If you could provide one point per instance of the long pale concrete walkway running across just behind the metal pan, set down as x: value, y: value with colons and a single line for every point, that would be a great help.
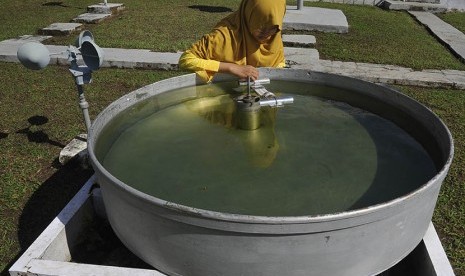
x: 298, y: 58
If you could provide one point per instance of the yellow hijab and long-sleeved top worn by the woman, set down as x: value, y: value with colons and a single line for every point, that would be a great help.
x: 232, y: 40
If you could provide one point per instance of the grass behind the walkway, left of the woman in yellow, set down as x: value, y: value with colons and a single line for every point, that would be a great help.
x: 162, y: 25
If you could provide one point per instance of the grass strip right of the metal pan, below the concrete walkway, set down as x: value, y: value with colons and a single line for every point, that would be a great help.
x: 449, y: 216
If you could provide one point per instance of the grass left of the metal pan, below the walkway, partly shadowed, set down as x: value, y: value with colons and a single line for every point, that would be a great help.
x: 39, y: 115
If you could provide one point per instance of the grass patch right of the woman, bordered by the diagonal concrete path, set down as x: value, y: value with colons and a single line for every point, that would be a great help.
x: 386, y: 37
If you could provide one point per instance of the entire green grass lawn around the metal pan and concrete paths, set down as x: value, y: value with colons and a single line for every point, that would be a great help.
x: 39, y: 111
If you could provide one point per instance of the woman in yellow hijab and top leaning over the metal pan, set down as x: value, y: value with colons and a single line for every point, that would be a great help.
x: 246, y: 39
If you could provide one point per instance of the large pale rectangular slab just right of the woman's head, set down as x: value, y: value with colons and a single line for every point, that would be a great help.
x: 315, y: 19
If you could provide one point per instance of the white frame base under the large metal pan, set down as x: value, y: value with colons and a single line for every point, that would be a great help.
x: 50, y: 253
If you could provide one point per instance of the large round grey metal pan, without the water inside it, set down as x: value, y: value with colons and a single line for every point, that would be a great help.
x: 181, y: 240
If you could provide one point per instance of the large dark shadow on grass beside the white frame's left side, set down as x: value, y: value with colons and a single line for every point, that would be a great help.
x: 47, y: 201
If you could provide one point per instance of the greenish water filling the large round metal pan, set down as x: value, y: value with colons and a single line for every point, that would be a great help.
x: 315, y: 156
